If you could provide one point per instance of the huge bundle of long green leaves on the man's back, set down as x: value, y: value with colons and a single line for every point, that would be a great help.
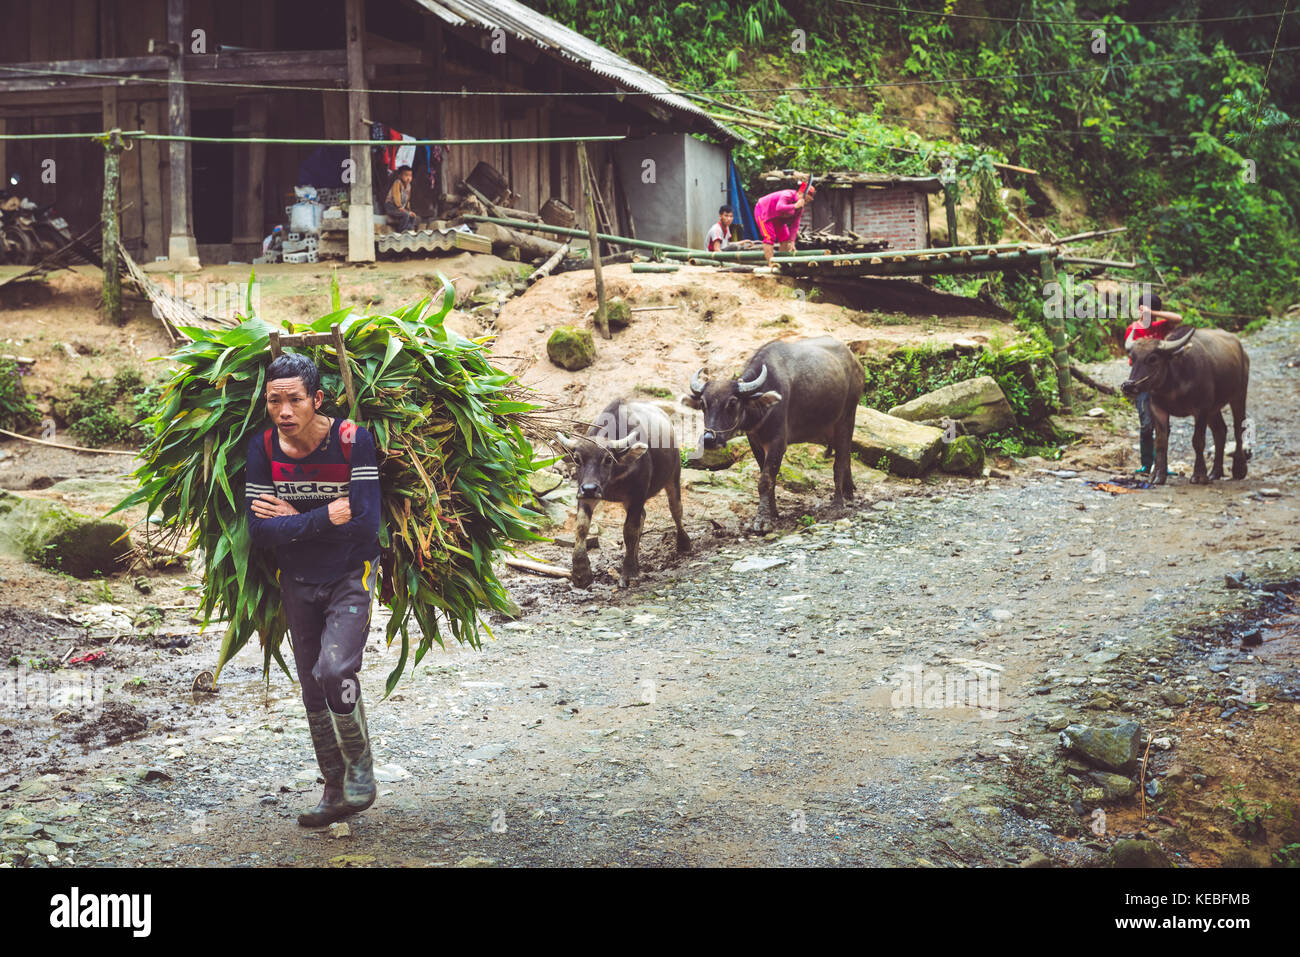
x: 454, y: 465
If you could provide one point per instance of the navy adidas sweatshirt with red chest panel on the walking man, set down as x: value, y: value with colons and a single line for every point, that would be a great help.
x: 309, y: 547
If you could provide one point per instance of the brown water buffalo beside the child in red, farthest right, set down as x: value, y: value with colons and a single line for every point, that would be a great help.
x: 1194, y: 375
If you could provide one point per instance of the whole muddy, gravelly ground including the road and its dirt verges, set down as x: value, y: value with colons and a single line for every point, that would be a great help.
x: 730, y: 711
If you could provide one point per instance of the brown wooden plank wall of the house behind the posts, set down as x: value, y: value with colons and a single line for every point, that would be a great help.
x: 89, y: 29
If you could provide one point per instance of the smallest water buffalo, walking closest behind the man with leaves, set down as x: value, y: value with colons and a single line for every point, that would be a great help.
x: 629, y: 457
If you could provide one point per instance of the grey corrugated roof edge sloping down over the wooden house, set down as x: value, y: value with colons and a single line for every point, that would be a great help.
x: 527, y: 24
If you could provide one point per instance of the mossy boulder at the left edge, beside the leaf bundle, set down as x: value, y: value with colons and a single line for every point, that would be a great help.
x: 51, y: 535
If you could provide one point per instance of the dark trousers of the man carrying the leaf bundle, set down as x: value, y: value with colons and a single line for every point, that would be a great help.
x: 328, y: 625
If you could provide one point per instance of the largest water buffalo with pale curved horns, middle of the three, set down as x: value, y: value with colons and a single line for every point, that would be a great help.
x: 807, y: 391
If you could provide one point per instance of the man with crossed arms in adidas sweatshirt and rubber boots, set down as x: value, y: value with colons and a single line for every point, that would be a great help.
x: 314, y: 497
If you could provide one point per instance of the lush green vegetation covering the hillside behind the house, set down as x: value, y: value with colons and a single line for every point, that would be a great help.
x: 1164, y: 118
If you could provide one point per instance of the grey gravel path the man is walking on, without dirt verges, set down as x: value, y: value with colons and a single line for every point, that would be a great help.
x: 753, y: 705
